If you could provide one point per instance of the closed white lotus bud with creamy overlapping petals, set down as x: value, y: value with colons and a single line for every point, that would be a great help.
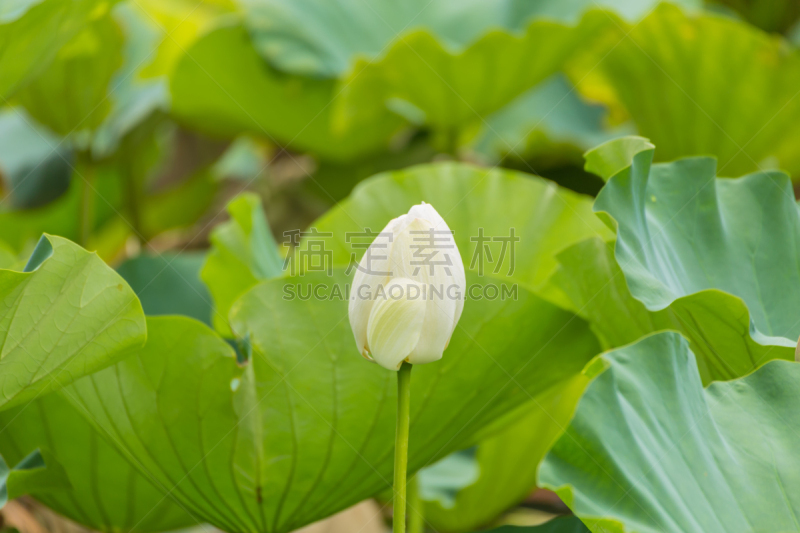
x: 408, y: 291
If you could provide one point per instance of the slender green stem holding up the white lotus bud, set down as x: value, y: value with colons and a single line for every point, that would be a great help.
x: 401, y: 448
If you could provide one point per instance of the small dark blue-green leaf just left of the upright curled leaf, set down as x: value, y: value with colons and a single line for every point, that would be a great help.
x: 169, y: 284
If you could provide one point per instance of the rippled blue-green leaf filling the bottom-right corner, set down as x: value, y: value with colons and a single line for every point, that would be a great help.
x: 650, y: 451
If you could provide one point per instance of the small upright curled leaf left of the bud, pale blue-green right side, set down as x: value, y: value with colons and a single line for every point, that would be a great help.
x: 243, y: 252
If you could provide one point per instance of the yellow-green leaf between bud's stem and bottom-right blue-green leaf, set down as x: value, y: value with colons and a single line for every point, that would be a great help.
x: 507, y: 463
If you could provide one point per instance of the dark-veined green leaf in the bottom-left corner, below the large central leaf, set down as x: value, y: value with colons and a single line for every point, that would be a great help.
x: 104, y: 491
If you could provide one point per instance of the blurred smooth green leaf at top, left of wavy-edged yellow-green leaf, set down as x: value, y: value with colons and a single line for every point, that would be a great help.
x: 223, y: 87
